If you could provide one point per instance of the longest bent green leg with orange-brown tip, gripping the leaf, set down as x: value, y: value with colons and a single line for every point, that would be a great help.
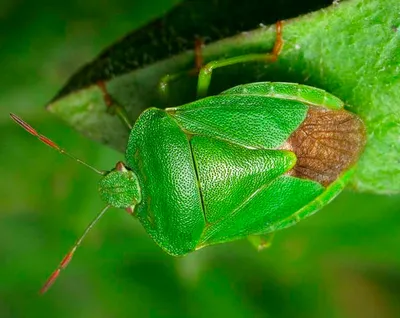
x: 205, y: 73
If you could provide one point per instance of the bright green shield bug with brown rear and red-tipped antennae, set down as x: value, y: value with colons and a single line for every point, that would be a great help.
x: 252, y: 160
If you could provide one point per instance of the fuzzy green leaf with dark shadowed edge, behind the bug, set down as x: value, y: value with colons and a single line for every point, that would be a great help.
x: 351, y: 49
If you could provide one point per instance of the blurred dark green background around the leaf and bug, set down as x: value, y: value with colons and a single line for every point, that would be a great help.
x: 342, y: 262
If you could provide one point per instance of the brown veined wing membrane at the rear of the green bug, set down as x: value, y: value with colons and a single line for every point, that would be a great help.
x: 326, y: 143
